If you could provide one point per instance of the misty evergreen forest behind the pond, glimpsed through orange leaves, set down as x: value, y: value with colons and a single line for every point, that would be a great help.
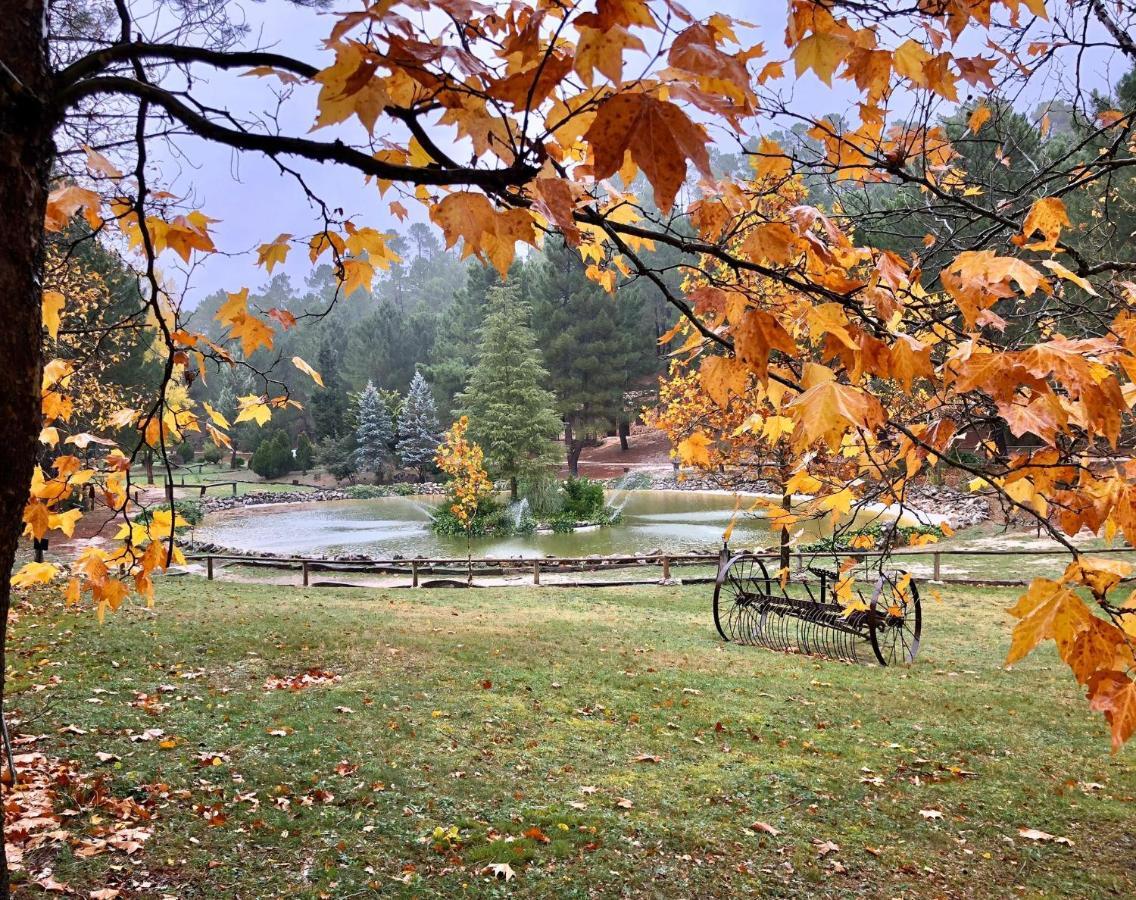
x: 555, y: 363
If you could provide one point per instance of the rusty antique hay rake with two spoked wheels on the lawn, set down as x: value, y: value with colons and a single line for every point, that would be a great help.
x: 805, y: 616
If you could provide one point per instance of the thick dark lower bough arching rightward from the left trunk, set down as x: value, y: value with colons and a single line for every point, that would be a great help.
x: 272, y: 145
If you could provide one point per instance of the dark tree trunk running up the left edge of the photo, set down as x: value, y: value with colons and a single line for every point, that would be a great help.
x: 27, y: 154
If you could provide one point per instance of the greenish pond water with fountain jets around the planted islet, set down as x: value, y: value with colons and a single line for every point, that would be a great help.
x: 667, y: 521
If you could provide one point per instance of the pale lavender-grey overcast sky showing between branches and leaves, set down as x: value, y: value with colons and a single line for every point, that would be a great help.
x: 255, y: 203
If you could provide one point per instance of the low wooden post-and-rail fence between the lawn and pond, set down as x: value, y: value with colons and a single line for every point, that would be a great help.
x: 497, y: 566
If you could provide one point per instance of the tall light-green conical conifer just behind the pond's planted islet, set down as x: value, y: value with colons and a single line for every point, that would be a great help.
x: 512, y: 415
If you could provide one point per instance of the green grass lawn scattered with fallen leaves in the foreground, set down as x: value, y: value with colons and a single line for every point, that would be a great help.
x: 512, y: 722
